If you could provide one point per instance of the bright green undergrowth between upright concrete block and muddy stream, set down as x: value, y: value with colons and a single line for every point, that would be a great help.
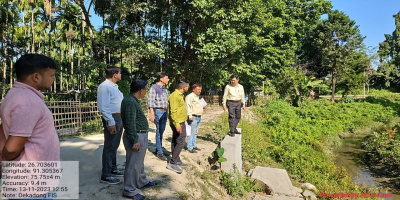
x: 299, y: 139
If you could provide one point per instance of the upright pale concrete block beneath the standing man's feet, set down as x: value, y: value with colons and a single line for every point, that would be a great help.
x: 232, y: 152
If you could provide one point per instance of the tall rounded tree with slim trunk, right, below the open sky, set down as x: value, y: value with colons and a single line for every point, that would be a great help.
x: 333, y: 49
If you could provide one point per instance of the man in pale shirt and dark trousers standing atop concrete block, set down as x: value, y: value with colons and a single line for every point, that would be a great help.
x: 233, y: 99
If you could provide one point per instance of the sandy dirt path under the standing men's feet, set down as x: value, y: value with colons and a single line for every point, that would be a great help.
x: 194, y: 183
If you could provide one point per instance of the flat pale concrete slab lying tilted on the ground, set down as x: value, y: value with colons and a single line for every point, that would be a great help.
x: 276, y: 180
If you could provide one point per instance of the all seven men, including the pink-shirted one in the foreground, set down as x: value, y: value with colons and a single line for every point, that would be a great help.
x: 28, y: 132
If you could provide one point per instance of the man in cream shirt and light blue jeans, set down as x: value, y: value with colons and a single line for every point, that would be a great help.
x: 194, y: 109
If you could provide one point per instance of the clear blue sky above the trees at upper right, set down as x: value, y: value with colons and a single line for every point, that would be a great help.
x: 374, y: 17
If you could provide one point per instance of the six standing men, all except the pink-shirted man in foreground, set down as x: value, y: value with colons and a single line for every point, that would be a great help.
x: 162, y: 106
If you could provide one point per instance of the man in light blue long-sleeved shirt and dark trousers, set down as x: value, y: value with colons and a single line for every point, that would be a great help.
x: 109, y: 103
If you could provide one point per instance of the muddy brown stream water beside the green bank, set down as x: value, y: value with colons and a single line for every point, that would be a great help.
x: 350, y: 156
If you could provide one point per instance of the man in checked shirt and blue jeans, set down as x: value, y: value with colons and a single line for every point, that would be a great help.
x: 158, y: 104
